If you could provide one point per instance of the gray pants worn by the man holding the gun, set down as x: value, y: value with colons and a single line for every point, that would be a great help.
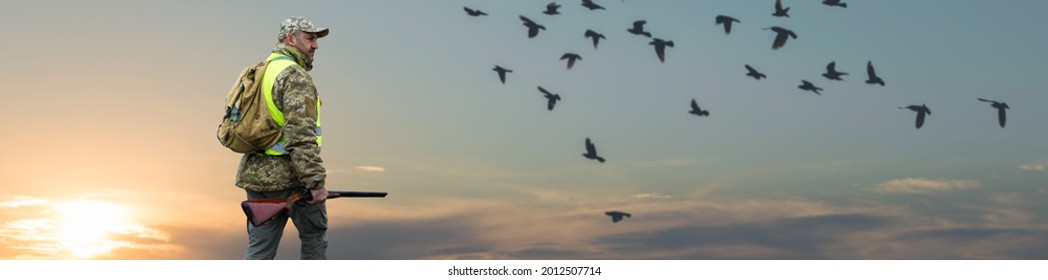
x: 311, y: 221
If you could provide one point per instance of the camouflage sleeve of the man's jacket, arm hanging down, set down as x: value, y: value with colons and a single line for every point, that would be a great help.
x: 300, y: 128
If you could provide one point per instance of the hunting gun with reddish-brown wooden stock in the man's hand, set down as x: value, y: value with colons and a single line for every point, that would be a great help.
x: 260, y: 211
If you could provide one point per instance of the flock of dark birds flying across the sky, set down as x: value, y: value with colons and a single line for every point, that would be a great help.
x: 781, y: 37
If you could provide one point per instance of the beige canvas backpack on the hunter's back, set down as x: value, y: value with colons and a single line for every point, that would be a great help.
x: 248, y: 126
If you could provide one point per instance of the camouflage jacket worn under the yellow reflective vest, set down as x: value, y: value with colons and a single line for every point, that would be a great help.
x: 296, y: 96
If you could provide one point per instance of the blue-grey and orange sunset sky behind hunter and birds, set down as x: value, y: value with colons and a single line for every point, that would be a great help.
x: 114, y: 107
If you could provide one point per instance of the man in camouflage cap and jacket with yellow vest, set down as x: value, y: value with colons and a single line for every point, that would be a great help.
x: 294, y: 163
